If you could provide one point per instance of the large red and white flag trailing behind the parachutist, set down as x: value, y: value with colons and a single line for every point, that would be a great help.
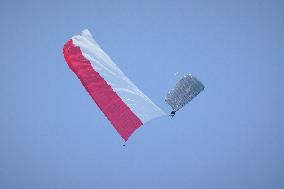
x: 125, y: 106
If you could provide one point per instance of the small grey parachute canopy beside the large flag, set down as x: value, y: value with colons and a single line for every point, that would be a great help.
x: 185, y: 90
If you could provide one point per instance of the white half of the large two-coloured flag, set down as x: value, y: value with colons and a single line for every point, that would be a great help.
x: 138, y: 102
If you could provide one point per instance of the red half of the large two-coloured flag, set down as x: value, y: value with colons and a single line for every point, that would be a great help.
x: 117, y: 112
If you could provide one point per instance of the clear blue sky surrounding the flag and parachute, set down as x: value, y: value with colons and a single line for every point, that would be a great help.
x: 53, y: 136
